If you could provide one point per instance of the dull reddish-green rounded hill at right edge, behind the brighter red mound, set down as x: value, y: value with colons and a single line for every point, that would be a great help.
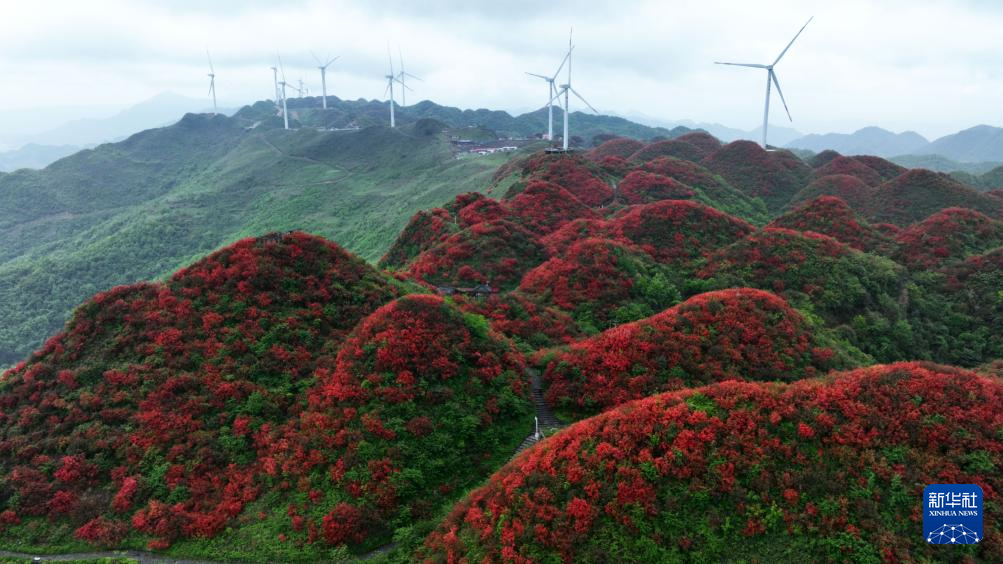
x: 919, y: 194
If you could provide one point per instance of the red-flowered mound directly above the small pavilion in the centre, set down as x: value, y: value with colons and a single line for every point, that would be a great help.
x: 498, y: 252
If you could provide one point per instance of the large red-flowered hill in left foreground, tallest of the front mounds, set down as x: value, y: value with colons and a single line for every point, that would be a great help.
x: 149, y: 385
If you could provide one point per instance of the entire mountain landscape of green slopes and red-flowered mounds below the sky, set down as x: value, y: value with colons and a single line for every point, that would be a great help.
x: 560, y: 355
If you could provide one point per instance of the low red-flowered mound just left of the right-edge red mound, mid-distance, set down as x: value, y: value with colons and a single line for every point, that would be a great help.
x: 831, y: 216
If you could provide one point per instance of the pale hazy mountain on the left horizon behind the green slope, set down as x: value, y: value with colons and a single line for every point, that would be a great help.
x: 162, y: 110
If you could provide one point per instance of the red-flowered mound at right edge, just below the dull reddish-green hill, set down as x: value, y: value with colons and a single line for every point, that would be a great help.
x: 951, y: 234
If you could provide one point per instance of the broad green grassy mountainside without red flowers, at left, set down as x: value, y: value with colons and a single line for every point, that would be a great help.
x: 141, y: 209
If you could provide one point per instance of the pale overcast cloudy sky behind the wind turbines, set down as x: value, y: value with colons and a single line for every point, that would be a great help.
x: 934, y: 67
